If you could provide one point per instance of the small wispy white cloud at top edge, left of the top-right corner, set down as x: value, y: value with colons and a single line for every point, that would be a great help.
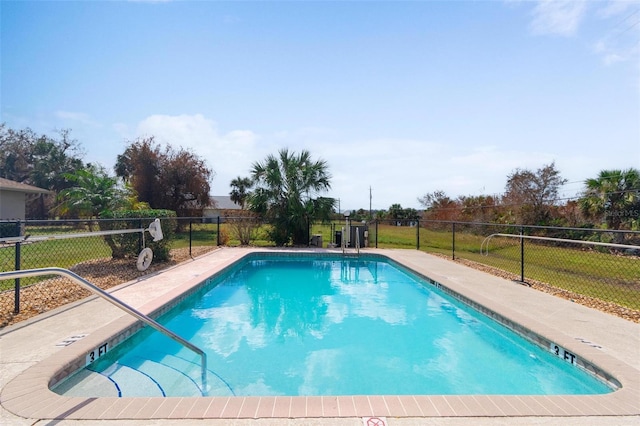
x: 558, y: 17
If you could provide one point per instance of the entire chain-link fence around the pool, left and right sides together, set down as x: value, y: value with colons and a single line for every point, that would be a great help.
x: 554, y: 260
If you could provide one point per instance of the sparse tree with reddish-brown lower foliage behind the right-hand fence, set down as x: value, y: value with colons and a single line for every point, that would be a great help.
x: 532, y: 194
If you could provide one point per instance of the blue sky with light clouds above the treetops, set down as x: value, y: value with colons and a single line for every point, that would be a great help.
x: 404, y: 98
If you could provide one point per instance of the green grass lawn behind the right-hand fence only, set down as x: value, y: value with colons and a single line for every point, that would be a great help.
x: 609, y: 277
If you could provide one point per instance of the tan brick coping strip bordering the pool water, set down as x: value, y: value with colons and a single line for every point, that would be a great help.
x: 32, y: 385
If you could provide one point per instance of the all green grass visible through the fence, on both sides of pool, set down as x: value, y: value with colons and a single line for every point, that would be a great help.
x: 604, y: 276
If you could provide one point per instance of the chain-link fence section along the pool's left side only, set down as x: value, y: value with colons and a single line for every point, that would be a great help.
x: 83, y: 247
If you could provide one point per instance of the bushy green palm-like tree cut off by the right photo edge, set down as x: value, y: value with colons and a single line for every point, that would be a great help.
x: 613, y: 197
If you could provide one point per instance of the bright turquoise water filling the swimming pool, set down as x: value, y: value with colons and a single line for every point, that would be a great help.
x: 328, y: 326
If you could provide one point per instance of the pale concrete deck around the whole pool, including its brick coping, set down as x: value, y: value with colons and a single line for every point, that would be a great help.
x: 32, y: 352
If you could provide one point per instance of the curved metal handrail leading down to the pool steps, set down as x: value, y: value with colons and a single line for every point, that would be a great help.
x: 117, y: 302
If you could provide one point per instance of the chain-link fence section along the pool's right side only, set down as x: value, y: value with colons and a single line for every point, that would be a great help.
x: 598, y: 268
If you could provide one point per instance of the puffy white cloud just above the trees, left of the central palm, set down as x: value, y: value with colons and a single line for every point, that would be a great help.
x: 228, y: 154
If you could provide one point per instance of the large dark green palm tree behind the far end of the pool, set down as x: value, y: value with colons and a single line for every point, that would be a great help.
x: 286, y: 194
